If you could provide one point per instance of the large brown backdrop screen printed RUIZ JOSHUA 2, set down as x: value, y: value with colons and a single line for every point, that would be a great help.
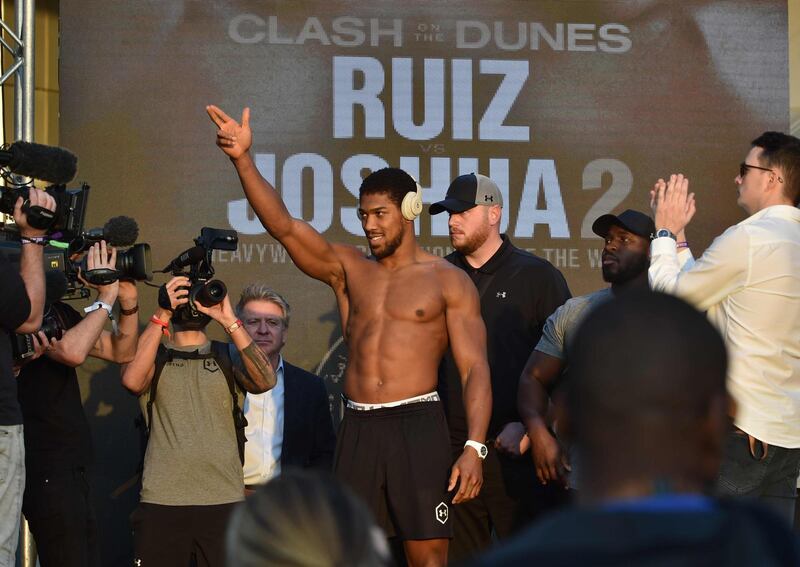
x: 573, y: 108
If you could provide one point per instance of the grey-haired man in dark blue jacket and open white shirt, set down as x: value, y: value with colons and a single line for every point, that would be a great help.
x: 290, y: 425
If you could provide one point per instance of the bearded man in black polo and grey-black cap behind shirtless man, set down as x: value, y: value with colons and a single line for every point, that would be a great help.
x: 518, y: 291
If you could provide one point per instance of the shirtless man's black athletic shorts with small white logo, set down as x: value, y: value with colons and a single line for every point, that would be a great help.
x: 398, y: 460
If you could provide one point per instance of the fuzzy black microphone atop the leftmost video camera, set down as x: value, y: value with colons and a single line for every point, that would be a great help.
x: 48, y: 163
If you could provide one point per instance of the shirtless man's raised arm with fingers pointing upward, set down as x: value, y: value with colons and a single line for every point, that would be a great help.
x: 307, y: 248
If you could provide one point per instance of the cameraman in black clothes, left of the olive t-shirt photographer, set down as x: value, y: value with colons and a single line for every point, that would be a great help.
x: 58, y: 444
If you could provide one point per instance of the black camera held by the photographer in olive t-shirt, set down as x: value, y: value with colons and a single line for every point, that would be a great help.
x: 195, y: 264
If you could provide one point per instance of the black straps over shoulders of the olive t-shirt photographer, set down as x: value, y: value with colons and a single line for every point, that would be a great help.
x: 220, y: 353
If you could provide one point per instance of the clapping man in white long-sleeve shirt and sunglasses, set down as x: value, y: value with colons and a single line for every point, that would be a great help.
x: 748, y: 281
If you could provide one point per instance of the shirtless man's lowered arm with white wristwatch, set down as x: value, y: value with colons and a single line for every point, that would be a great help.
x: 467, y: 334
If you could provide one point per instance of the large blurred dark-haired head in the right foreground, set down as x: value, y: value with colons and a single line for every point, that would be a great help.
x: 646, y: 400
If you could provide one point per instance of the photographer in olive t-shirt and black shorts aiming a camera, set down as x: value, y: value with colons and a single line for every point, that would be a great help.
x: 192, y: 475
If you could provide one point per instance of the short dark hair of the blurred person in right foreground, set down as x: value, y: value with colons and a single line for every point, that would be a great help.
x: 643, y: 366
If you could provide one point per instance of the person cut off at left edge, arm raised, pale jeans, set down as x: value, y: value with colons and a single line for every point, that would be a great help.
x: 21, y: 307
